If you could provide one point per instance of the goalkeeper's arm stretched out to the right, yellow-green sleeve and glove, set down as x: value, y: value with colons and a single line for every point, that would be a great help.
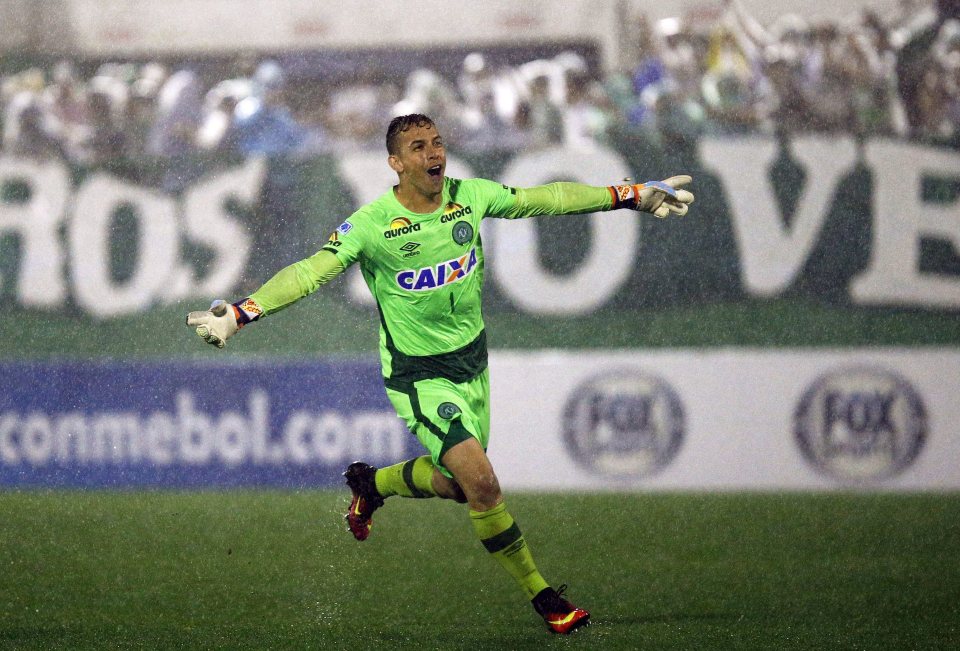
x: 565, y: 198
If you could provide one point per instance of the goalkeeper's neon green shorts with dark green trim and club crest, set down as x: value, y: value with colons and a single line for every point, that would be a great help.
x: 441, y: 413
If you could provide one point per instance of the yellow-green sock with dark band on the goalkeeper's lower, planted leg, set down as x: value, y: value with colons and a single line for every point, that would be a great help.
x: 502, y: 538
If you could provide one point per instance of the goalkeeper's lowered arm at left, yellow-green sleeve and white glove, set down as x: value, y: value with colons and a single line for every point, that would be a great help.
x: 288, y: 286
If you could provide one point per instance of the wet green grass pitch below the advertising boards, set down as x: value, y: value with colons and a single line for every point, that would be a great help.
x: 276, y: 570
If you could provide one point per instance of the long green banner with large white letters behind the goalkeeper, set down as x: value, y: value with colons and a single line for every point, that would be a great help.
x: 810, y: 242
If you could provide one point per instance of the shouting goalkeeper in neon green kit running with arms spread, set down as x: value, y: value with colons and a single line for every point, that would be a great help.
x: 419, y: 250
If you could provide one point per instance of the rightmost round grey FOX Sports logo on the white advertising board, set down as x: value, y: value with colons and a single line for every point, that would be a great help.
x: 860, y: 424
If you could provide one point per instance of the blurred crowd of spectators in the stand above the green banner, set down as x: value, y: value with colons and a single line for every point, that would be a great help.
x: 894, y: 75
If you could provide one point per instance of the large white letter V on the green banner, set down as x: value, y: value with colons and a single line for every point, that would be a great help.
x: 772, y: 253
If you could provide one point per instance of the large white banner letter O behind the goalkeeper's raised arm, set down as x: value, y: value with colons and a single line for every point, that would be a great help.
x: 611, y: 252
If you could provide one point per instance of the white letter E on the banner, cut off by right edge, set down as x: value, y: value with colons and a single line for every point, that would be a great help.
x: 901, y: 221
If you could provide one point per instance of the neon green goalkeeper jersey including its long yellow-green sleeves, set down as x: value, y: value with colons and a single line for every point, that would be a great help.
x: 425, y: 271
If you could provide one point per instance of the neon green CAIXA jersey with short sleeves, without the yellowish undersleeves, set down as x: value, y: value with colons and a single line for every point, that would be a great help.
x: 426, y: 273
